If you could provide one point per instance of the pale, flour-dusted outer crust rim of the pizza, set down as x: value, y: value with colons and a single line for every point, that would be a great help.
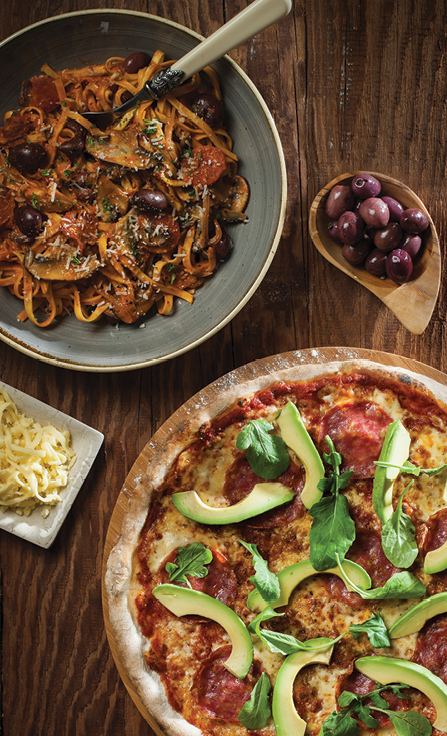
x: 164, y: 447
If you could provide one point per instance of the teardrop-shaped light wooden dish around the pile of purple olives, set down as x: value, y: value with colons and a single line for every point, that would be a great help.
x: 413, y: 302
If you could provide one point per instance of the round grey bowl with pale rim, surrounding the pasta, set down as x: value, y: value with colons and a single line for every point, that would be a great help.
x: 77, y: 39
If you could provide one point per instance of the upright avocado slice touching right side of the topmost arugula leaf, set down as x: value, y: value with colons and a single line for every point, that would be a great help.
x: 296, y: 436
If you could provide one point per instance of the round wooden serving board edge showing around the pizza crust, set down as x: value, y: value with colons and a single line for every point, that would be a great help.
x: 245, y: 373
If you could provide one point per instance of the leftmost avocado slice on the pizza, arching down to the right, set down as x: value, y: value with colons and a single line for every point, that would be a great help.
x: 186, y: 602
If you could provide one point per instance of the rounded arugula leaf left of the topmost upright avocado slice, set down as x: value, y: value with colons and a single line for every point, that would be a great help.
x: 266, y: 453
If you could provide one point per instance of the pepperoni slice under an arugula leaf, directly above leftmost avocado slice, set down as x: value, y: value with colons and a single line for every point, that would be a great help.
x: 220, y: 583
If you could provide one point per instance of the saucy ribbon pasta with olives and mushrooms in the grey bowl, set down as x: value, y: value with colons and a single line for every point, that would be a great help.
x: 112, y: 222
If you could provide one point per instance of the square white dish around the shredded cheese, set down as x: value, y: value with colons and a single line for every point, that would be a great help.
x: 85, y: 442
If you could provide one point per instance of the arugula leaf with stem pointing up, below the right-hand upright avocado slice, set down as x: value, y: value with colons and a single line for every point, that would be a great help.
x: 399, y: 537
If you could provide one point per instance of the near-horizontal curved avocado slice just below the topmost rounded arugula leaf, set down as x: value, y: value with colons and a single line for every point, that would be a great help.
x: 263, y: 497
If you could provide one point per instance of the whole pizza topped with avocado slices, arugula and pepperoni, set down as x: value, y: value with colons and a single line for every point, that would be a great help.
x: 282, y: 563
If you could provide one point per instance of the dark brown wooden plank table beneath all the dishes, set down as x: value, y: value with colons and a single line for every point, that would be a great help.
x: 351, y: 85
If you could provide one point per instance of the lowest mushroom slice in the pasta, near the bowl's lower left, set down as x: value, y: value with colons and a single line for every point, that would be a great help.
x: 63, y: 266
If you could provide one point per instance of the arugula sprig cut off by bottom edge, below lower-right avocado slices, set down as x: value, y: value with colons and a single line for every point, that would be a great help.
x: 342, y: 723
